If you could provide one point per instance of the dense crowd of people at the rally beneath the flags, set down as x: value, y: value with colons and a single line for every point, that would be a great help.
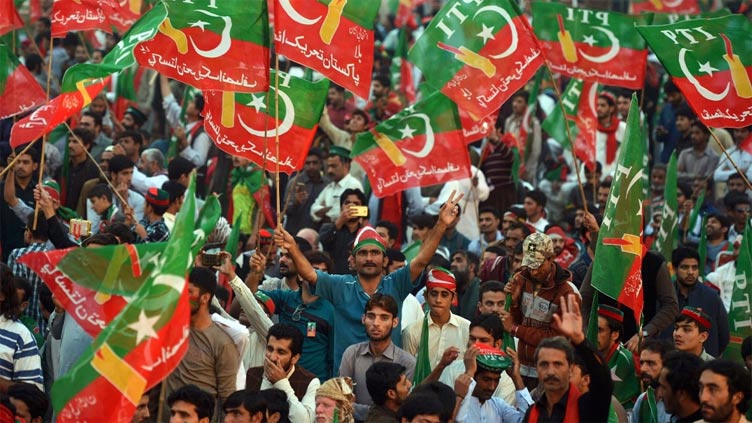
x: 465, y: 302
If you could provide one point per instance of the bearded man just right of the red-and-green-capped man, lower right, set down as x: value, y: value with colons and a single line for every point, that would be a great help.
x: 651, y: 363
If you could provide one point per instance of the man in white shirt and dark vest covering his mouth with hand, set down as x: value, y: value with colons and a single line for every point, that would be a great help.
x: 284, y: 345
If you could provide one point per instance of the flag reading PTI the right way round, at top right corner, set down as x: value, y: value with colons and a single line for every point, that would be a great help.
x: 710, y: 60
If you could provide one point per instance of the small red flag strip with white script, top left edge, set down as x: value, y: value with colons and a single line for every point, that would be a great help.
x: 80, y: 15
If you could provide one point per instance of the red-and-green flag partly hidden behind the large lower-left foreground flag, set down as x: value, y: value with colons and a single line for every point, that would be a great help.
x: 93, y: 285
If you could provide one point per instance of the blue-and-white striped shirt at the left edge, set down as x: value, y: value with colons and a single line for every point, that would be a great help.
x: 19, y: 355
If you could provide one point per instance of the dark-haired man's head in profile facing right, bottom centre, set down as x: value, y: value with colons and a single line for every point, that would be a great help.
x: 388, y: 386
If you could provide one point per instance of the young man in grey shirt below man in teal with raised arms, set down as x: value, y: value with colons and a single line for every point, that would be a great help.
x: 379, y: 319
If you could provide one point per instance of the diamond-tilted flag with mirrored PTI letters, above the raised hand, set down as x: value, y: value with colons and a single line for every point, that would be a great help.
x: 478, y: 55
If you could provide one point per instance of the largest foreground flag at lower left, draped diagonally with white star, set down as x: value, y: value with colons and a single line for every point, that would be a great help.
x: 144, y: 343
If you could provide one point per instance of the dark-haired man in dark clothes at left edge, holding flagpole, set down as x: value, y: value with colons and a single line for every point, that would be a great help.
x: 24, y: 176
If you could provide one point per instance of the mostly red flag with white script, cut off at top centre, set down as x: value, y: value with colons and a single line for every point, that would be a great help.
x: 334, y: 37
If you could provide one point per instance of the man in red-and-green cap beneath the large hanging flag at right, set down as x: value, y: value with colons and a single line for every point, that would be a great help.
x: 618, y: 358
